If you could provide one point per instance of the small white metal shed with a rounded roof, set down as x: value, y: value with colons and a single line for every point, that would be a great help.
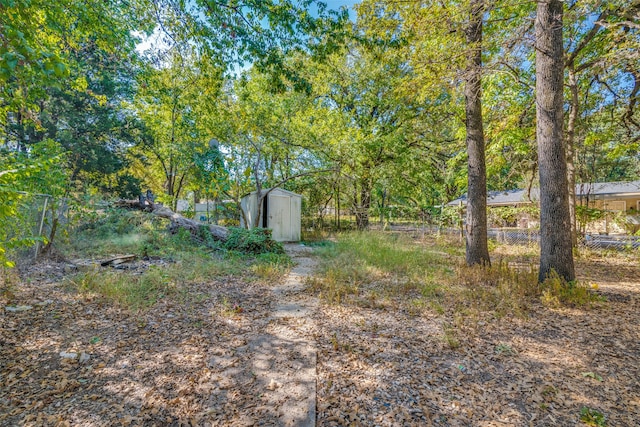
x: 281, y: 212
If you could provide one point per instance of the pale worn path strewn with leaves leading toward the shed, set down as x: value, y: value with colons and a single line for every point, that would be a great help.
x: 285, y: 355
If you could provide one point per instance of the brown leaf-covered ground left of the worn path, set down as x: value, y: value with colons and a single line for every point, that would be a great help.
x: 184, y: 363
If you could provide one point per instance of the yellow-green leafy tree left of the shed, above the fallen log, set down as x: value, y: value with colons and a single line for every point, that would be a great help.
x: 172, y: 106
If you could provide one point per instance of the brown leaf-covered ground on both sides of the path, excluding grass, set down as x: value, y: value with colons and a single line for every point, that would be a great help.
x: 190, y: 363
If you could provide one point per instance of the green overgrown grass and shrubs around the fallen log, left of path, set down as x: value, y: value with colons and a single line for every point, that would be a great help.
x: 176, y: 260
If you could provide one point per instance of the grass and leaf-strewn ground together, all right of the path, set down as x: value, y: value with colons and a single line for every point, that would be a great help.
x: 474, y: 346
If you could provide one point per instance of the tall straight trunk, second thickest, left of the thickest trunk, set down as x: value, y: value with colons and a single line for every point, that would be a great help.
x: 477, y: 250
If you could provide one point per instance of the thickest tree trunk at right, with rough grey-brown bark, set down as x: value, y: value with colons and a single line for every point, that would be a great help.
x: 555, y: 224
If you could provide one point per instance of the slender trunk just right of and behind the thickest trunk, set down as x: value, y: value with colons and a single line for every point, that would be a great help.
x: 570, y: 144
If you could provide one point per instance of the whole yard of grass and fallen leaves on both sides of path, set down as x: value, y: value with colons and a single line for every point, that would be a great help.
x: 404, y: 335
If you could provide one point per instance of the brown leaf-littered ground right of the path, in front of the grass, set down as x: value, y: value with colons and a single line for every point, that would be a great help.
x: 390, y: 366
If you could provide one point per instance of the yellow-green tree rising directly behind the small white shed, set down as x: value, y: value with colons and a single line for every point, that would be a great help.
x: 265, y: 138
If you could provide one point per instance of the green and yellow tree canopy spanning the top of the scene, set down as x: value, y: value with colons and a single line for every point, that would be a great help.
x: 399, y: 108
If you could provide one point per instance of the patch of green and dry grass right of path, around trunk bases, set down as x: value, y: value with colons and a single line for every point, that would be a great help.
x: 428, y: 273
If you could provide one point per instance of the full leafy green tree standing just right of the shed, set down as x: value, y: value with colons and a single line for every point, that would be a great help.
x: 372, y: 118
